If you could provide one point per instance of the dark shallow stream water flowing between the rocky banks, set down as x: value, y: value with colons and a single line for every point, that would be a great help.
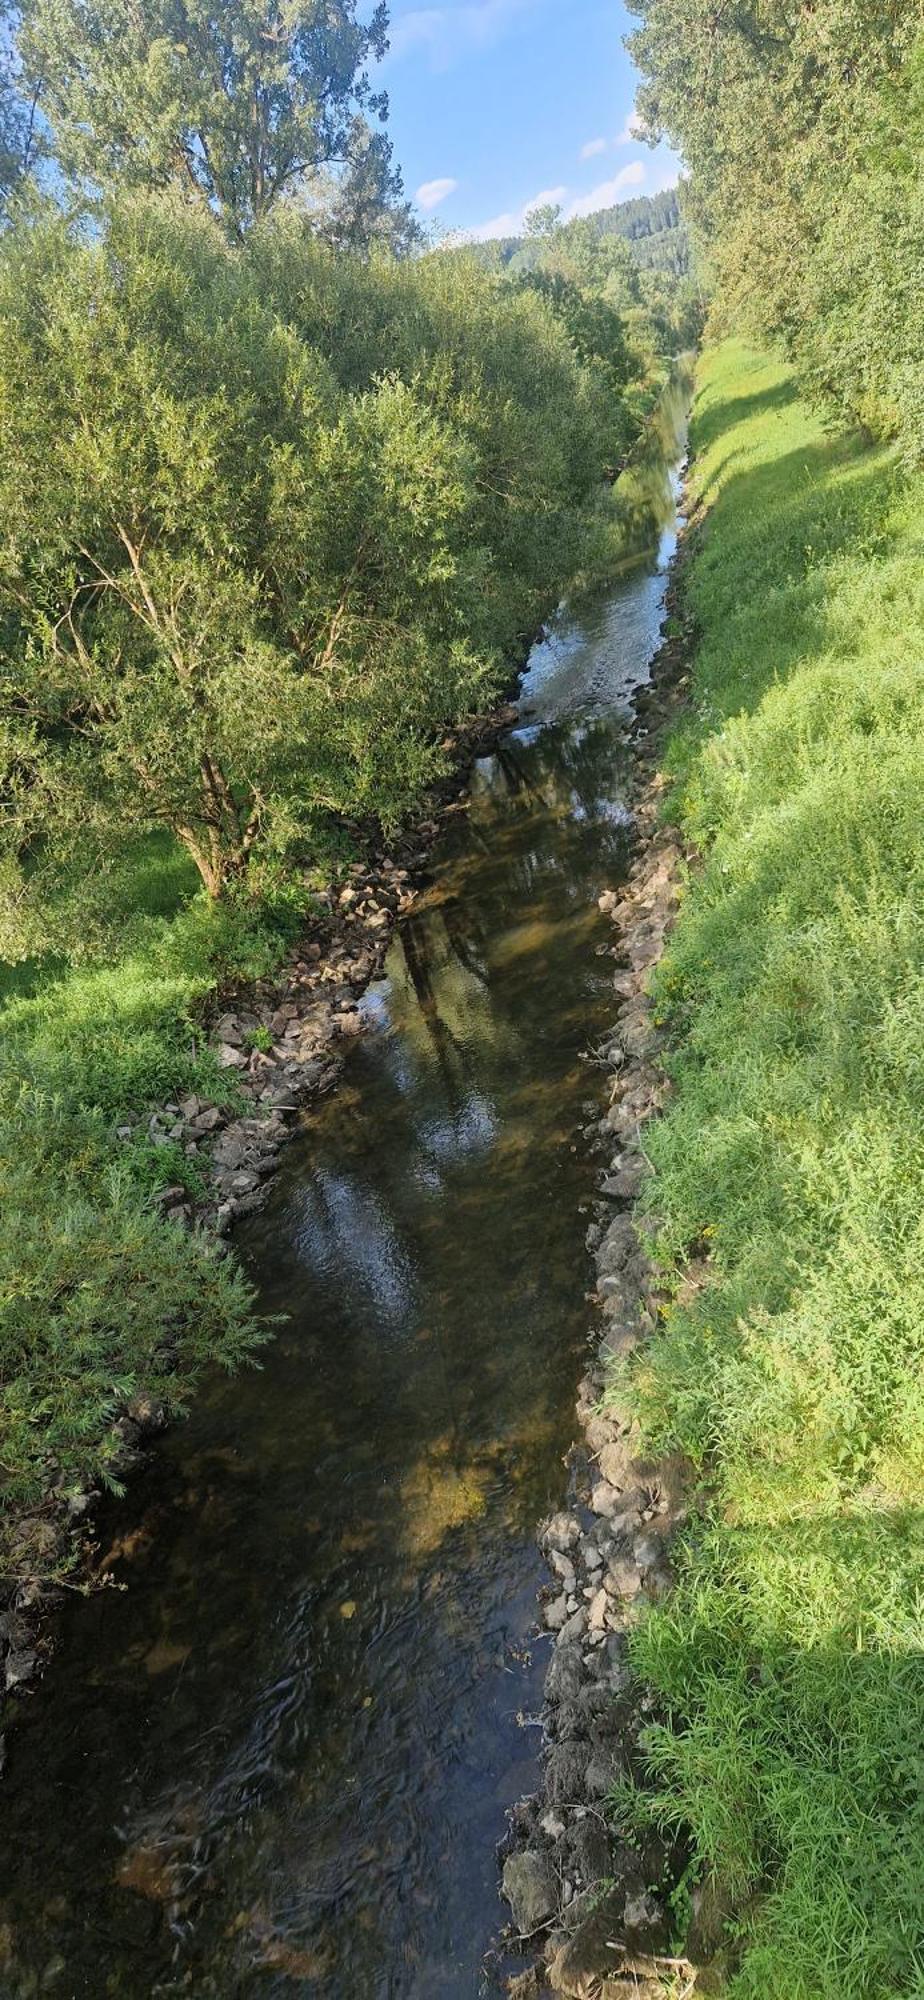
x: 279, y: 1757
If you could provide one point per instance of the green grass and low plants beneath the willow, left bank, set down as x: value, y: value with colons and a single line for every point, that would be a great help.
x: 99, y: 1297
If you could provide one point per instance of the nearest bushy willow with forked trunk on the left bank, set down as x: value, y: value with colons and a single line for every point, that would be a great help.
x: 231, y: 595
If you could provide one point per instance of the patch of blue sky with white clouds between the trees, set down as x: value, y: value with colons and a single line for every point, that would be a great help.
x: 503, y: 103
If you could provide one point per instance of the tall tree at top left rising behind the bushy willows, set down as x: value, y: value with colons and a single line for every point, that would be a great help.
x: 241, y: 103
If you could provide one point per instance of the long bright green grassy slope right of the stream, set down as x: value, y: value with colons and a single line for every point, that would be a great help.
x: 791, y: 1657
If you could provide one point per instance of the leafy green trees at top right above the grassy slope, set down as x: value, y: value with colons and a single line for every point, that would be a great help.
x: 803, y: 129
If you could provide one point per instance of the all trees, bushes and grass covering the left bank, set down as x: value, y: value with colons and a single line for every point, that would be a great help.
x: 277, y: 517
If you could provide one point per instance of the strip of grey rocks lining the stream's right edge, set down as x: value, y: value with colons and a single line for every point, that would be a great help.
x: 595, y: 1905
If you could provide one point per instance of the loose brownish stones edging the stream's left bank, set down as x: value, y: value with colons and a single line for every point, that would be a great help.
x: 281, y: 1041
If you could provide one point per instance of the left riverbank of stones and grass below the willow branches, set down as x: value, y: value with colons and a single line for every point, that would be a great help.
x: 247, y: 1039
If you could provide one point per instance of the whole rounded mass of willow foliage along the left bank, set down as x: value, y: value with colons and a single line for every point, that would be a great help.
x: 275, y: 519
